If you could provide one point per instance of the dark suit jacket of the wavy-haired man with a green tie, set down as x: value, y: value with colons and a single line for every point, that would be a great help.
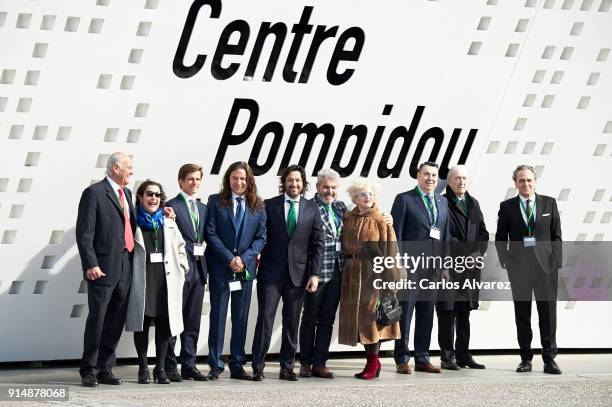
x: 297, y: 257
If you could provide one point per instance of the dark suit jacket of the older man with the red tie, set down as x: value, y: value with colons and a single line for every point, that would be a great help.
x: 100, y: 230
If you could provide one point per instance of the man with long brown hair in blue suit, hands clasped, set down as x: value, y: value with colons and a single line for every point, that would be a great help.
x: 236, y: 230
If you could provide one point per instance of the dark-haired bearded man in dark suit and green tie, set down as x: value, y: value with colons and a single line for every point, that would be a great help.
x: 290, y: 266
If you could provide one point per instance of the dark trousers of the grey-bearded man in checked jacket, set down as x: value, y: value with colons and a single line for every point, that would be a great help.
x: 318, y: 321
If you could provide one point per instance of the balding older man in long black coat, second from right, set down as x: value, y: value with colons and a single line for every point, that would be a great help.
x: 469, y: 237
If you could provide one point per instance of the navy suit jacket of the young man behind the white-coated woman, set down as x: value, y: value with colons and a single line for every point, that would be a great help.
x: 185, y: 225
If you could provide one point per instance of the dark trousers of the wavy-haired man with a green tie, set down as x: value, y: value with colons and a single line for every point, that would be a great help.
x: 268, y: 297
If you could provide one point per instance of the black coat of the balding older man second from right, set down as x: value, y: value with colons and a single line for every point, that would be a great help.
x: 468, y: 235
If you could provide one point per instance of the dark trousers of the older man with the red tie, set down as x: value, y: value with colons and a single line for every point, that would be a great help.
x: 105, y: 320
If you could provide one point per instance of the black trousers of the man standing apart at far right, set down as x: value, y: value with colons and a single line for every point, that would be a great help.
x: 543, y: 286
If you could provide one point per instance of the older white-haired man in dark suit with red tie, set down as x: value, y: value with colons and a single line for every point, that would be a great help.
x: 105, y: 239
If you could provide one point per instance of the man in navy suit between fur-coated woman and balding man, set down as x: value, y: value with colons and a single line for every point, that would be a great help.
x: 421, y: 223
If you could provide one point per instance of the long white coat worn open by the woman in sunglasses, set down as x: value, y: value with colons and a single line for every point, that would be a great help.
x: 175, y: 265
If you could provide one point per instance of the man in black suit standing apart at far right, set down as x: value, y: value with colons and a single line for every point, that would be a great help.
x: 528, y: 243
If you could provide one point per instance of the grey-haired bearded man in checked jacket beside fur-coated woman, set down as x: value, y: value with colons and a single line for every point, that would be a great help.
x: 320, y: 306
